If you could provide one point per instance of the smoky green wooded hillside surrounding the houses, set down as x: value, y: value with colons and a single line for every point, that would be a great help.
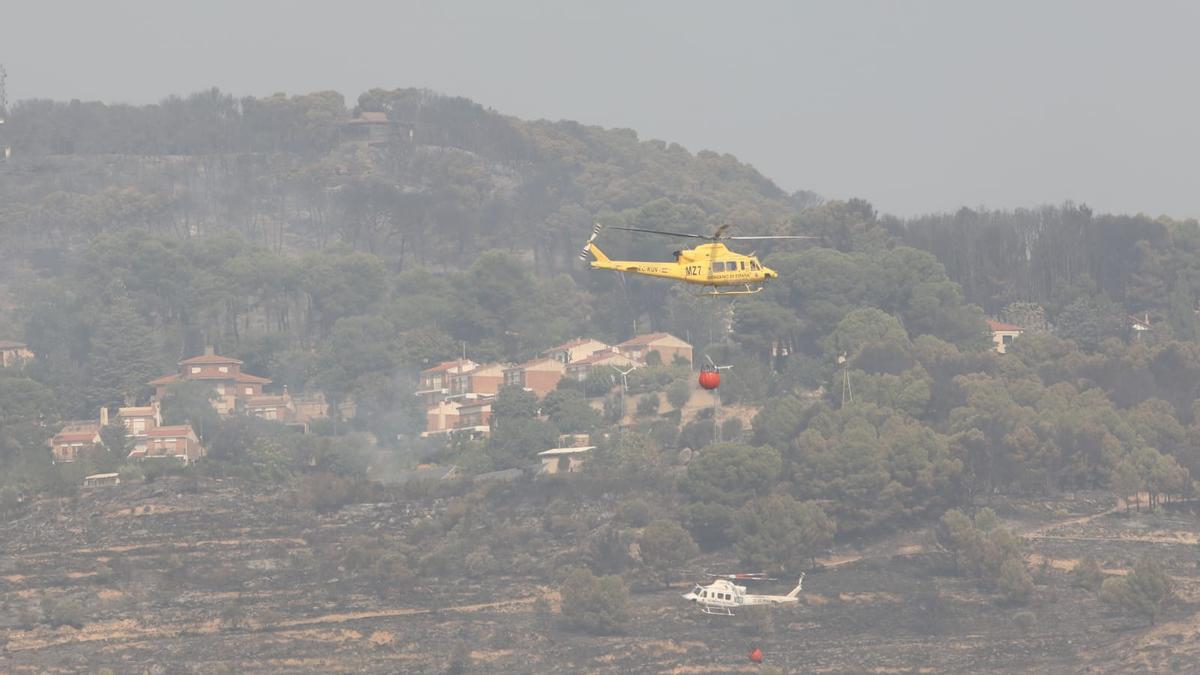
x: 136, y: 236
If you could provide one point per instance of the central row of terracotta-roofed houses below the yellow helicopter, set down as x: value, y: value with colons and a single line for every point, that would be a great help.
x: 459, y: 395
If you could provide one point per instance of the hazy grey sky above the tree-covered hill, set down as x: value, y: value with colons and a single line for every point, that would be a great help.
x: 917, y: 106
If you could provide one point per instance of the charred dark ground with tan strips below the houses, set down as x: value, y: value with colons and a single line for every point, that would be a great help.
x: 220, y: 577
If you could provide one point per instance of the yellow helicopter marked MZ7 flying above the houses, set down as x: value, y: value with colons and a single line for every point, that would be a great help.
x: 709, y: 265
